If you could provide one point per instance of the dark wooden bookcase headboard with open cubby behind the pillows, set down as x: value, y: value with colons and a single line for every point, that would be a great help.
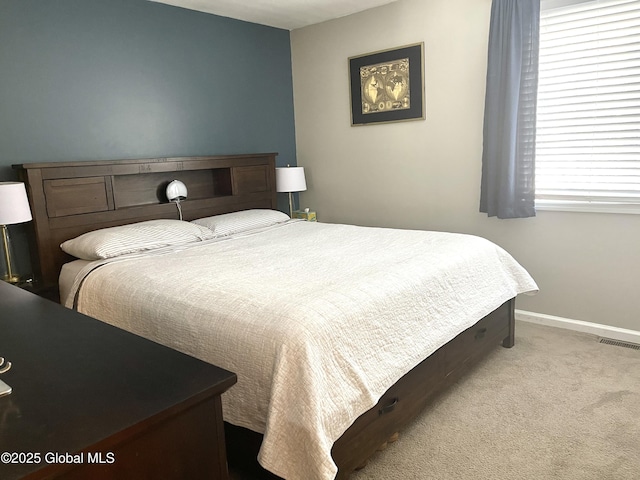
x: 71, y: 198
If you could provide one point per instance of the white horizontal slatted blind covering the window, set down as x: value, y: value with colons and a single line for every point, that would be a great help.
x: 588, y: 116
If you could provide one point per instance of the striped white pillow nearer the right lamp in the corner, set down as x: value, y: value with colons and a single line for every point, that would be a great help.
x: 237, y: 222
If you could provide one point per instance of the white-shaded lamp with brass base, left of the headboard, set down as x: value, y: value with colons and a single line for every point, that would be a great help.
x: 14, y: 208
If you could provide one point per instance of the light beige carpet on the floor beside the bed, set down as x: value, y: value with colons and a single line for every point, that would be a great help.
x: 559, y: 405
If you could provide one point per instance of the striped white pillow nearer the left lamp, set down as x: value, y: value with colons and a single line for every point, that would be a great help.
x: 135, y: 237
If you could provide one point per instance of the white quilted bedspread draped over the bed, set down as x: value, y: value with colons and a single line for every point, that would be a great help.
x: 316, y: 320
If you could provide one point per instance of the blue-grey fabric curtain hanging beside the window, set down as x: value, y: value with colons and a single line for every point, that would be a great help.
x: 508, y: 156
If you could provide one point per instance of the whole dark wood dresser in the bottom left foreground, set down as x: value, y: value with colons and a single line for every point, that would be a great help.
x: 93, y: 401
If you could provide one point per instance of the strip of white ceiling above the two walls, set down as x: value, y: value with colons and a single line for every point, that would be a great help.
x: 286, y: 14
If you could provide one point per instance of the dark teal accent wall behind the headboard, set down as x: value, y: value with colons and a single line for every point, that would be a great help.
x: 107, y: 79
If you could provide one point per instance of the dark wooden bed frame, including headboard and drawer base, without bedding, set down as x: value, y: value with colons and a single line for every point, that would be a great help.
x: 71, y: 198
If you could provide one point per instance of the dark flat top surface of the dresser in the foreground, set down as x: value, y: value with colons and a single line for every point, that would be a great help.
x: 77, y: 381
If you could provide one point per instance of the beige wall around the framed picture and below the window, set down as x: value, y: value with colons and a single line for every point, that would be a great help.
x: 426, y: 174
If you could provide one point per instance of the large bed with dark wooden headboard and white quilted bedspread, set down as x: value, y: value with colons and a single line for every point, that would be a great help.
x: 340, y: 335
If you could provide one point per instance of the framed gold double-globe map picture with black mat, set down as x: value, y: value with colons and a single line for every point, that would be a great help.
x: 387, y: 86
